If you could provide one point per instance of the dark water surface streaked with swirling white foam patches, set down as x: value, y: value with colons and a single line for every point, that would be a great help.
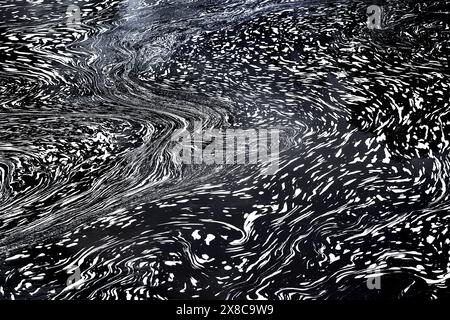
x: 87, y: 177
